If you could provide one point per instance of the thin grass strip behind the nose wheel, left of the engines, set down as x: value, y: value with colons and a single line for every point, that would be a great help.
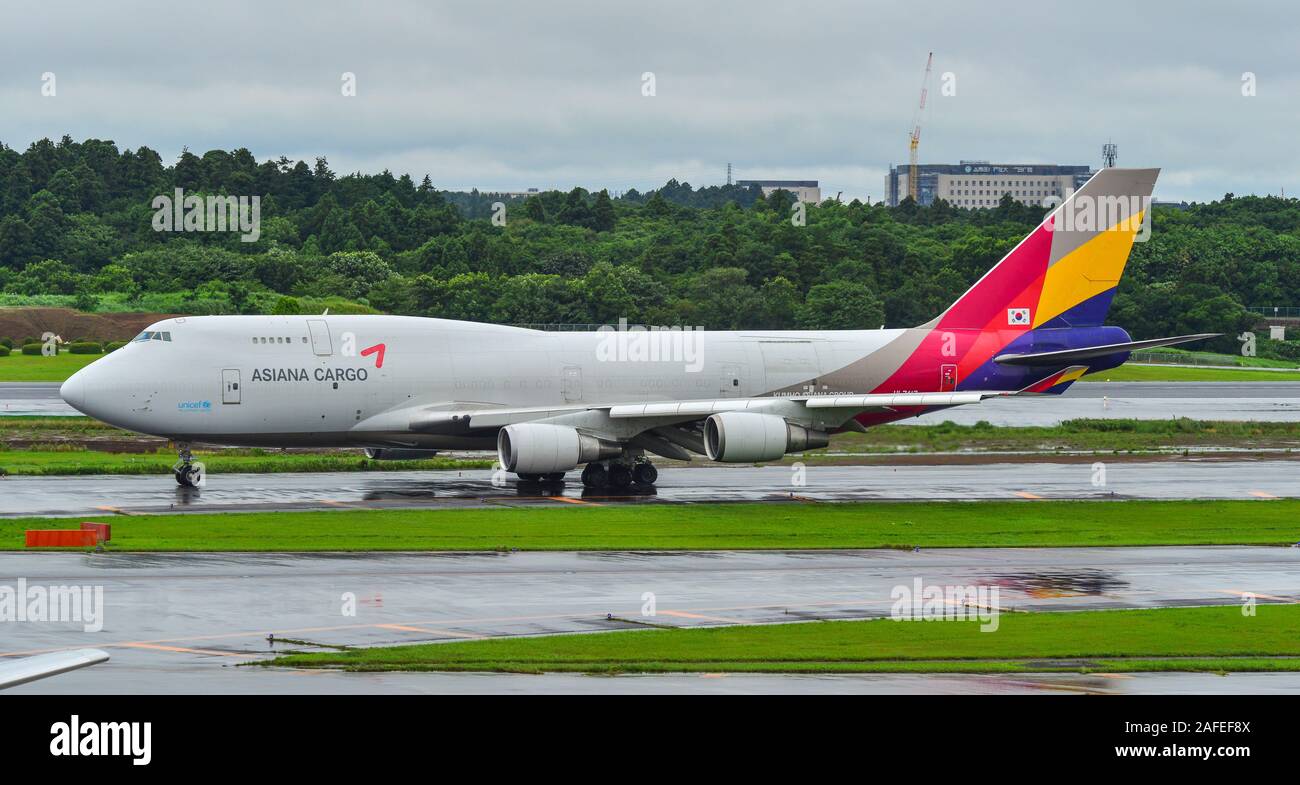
x: 228, y: 462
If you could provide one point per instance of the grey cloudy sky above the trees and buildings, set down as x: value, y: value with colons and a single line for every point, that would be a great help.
x: 543, y: 94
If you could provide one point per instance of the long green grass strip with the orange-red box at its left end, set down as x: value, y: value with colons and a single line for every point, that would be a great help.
x: 707, y: 527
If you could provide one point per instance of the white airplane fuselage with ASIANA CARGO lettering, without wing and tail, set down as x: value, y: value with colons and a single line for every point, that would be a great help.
x: 319, y: 381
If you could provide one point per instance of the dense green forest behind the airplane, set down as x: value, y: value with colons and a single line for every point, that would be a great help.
x: 77, y: 229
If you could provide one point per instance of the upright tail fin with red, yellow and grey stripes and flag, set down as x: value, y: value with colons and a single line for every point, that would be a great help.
x: 1065, y: 274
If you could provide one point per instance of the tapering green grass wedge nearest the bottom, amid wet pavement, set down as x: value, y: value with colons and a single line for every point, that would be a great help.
x: 1208, y: 639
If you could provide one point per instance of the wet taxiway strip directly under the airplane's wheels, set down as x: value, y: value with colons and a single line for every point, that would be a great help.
x: 1203, y: 478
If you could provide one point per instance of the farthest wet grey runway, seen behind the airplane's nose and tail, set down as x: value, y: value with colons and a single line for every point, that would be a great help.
x: 1142, y: 401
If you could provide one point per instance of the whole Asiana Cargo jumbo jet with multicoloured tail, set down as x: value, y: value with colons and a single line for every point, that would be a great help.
x: 549, y: 402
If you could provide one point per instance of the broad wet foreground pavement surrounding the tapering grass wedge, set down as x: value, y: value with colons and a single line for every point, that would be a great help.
x: 183, y: 622
